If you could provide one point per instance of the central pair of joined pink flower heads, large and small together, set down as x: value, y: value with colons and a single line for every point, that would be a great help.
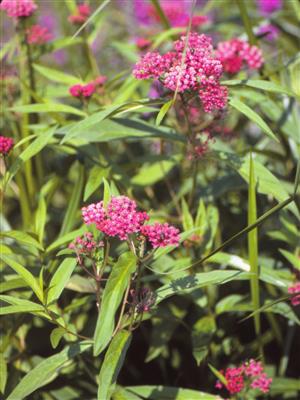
x: 120, y: 218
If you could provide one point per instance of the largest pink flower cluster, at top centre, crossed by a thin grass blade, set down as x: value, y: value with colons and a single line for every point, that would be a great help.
x: 194, y: 68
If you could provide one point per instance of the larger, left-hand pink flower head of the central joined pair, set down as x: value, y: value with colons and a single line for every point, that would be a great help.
x: 120, y: 218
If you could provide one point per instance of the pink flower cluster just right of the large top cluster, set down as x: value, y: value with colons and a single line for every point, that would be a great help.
x: 235, y: 53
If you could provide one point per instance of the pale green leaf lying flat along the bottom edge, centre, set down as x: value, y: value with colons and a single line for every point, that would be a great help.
x: 170, y: 393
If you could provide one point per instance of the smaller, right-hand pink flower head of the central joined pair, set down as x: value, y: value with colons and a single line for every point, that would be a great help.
x: 161, y: 235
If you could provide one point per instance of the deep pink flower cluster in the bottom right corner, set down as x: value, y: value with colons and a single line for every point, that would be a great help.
x: 250, y: 375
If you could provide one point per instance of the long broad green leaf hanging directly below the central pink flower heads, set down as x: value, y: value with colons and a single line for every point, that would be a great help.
x: 116, y: 285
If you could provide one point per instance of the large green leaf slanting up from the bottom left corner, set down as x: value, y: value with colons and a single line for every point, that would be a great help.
x: 46, y: 371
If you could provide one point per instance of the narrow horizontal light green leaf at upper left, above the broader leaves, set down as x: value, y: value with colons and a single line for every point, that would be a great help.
x: 47, y: 108
